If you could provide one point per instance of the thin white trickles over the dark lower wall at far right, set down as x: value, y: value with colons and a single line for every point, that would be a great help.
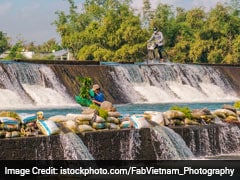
x: 220, y: 139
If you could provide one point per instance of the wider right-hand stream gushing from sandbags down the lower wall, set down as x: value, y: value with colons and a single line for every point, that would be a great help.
x: 169, y: 145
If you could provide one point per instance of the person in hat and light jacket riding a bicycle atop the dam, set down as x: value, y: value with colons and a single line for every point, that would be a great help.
x: 157, y: 36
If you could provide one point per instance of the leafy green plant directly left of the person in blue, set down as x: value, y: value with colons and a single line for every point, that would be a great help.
x: 85, y: 86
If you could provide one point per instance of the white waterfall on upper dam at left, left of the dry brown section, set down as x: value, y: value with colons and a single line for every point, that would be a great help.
x: 31, y: 85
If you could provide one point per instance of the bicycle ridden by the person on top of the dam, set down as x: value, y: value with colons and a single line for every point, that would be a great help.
x: 153, y: 53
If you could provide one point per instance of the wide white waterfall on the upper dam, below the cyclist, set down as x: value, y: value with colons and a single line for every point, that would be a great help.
x: 173, y: 83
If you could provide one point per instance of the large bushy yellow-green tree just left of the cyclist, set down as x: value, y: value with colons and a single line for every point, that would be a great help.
x: 102, y: 31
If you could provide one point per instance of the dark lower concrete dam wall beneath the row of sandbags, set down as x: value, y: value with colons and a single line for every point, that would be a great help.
x: 128, y: 144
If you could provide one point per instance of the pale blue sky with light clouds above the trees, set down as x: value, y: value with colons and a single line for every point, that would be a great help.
x: 31, y: 20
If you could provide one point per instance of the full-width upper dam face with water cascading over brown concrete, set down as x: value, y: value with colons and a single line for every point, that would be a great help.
x: 26, y: 84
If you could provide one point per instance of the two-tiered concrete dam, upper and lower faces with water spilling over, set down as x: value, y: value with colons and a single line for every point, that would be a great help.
x: 29, y: 85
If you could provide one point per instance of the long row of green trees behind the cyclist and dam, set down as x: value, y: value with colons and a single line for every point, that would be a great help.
x: 111, y: 30
